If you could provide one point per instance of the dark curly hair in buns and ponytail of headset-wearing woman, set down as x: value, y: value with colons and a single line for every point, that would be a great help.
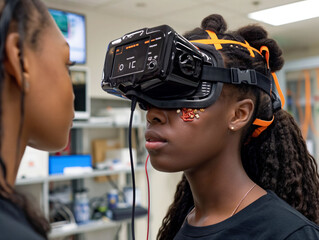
x: 278, y: 158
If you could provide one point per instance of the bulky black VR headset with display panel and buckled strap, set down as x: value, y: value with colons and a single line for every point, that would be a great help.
x: 161, y: 68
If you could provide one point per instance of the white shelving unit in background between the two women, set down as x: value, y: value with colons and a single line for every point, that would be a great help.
x: 44, y: 184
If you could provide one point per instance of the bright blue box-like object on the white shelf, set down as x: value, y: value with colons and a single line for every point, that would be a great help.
x: 58, y: 163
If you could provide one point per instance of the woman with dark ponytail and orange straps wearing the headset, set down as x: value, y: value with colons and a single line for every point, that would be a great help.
x: 243, y: 178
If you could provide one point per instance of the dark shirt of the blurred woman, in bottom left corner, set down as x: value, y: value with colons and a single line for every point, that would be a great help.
x: 13, y: 223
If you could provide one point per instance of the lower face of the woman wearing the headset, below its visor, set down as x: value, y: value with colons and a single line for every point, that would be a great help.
x: 175, y: 145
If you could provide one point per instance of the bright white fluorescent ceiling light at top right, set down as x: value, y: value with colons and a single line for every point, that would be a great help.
x: 289, y: 13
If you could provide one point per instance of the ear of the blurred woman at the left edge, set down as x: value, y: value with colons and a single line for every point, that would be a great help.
x: 12, y: 62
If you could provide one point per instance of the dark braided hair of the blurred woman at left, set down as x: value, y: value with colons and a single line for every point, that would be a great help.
x: 28, y: 18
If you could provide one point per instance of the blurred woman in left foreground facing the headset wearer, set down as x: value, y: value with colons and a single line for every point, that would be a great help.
x: 36, y: 105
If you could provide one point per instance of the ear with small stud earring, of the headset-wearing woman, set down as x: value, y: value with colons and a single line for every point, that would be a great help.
x: 243, y: 110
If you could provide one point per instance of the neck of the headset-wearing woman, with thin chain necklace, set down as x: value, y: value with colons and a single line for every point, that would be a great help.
x: 217, y: 189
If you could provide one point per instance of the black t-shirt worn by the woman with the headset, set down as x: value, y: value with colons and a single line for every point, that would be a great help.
x: 269, y: 217
